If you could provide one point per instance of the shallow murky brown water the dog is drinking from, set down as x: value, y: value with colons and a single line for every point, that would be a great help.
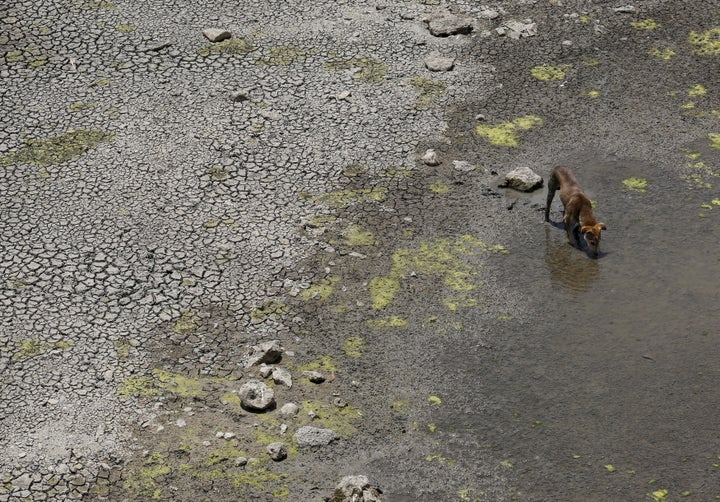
x: 613, y: 392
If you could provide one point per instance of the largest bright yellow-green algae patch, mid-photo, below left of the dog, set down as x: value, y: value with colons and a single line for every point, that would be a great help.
x: 443, y: 257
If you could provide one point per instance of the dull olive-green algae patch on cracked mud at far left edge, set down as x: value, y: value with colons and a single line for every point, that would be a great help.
x: 57, y: 149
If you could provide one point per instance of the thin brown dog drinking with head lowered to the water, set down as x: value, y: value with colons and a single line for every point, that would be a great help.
x: 578, y: 209
